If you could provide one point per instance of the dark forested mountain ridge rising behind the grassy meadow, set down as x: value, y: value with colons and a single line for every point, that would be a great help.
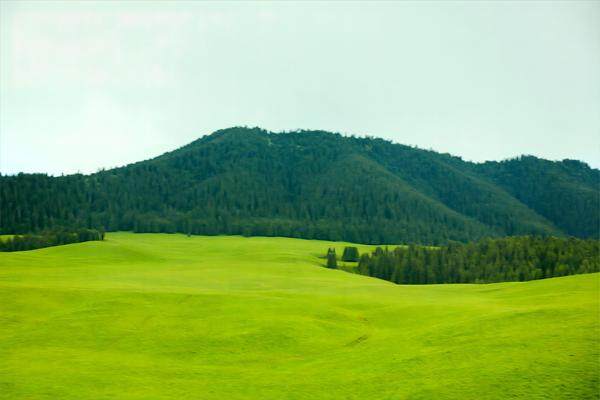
x: 313, y: 184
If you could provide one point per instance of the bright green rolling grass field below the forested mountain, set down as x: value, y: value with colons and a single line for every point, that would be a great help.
x: 152, y: 316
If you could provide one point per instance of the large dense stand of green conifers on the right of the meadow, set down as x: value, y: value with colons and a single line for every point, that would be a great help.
x: 490, y: 260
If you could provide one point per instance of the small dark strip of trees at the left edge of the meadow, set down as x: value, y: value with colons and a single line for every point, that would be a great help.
x: 49, y: 238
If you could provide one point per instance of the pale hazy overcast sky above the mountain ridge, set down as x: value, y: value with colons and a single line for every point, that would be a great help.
x: 90, y: 85
